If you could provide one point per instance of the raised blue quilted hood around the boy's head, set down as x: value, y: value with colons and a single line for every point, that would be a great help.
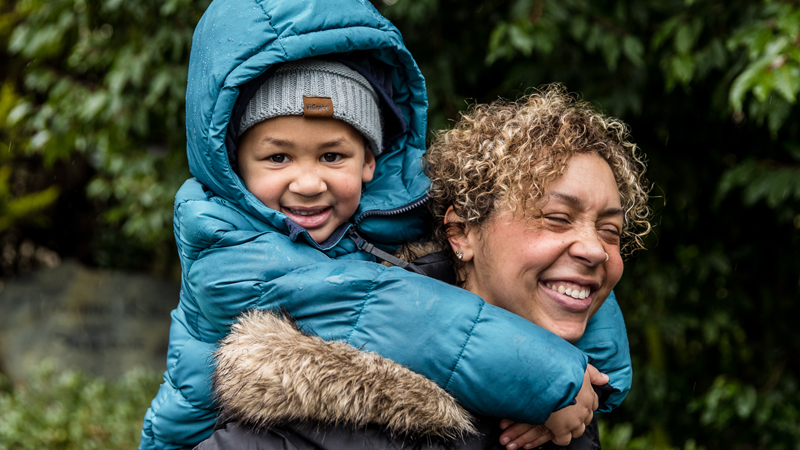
x: 236, y: 41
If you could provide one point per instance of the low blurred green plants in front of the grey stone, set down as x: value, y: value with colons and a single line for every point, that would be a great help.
x: 71, y: 410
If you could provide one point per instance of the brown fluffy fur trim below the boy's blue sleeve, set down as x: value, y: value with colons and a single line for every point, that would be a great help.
x: 268, y: 373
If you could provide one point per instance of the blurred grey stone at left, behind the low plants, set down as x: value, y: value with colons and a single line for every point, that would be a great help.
x: 102, y: 322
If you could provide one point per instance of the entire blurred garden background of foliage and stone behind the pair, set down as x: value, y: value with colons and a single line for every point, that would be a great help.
x: 92, y: 151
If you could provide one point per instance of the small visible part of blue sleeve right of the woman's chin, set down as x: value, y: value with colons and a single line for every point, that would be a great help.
x: 605, y: 342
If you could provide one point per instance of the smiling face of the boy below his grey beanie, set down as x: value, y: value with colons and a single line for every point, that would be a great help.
x: 310, y: 169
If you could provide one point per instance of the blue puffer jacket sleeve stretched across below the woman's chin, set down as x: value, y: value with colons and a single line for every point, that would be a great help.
x: 494, y: 362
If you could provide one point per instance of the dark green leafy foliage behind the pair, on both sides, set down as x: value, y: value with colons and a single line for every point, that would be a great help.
x: 709, y: 88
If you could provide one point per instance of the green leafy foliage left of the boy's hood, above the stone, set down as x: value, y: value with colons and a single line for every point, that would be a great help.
x: 106, y: 80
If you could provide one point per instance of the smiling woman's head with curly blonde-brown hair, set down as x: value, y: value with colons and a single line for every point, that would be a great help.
x: 537, y: 200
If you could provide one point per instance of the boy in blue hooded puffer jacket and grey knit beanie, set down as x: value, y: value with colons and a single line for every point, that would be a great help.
x: 267, y: 226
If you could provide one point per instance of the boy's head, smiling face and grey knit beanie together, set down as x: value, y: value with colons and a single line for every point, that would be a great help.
x: 307, y: 156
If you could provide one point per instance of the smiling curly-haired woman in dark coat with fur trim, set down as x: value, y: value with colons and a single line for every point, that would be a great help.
x: 535, y: 203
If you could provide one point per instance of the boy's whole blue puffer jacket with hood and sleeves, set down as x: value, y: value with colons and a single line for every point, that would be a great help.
x: 236, y: 254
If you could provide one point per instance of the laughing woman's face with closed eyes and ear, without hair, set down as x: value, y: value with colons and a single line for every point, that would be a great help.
x: 556, y: 271
